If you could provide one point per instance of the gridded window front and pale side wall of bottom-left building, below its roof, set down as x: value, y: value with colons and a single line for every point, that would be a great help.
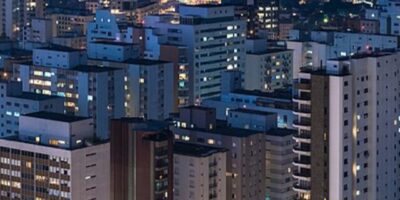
x: 61, y: 173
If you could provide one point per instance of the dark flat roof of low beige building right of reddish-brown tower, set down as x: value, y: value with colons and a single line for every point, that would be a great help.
x: 195, y: 150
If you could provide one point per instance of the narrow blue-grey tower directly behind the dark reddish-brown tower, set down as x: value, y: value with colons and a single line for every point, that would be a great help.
x: 150, y: 89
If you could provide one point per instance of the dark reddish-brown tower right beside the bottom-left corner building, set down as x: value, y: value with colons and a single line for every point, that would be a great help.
x: 141, y: 159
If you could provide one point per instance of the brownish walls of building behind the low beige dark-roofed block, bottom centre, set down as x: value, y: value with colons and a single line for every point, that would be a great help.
x: 248, y: 183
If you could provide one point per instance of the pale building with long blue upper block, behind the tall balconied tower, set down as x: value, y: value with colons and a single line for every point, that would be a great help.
x: 316, y: 47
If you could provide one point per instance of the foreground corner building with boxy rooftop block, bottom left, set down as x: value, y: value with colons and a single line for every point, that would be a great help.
x: 53, y: 157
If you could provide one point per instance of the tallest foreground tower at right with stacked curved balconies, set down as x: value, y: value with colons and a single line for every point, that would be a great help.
x: 348, y: 129
